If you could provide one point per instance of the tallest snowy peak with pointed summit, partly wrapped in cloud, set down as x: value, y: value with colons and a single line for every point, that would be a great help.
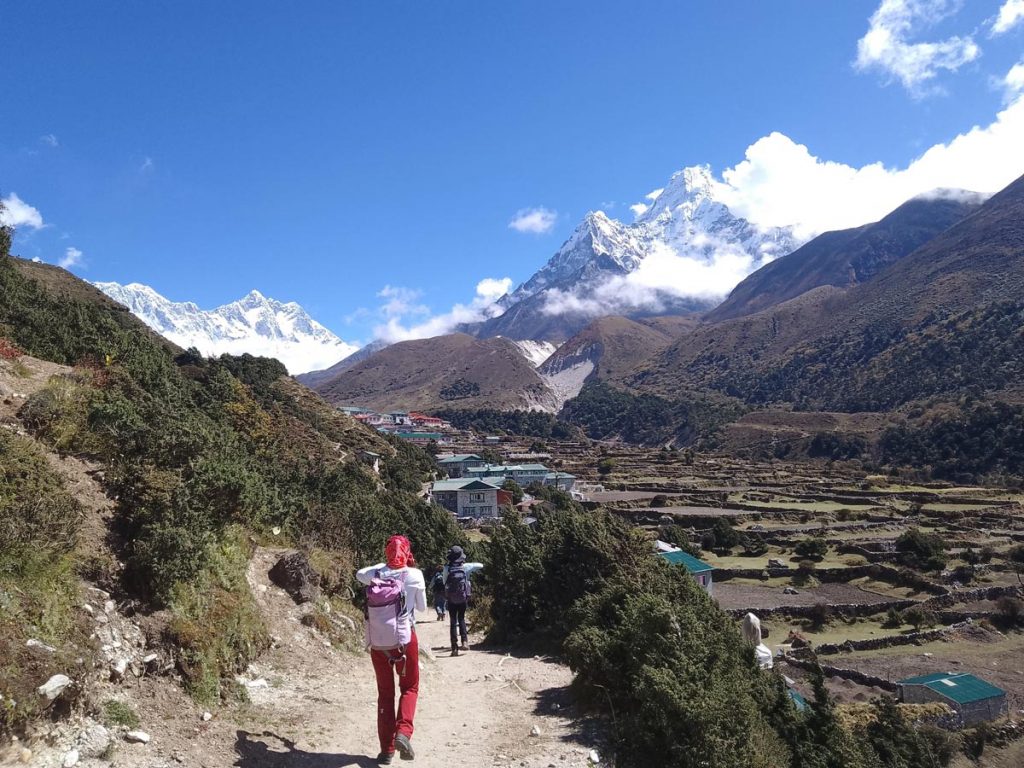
x: 579, y: 283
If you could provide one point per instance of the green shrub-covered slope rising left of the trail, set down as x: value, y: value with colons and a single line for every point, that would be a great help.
x: 203, y: 457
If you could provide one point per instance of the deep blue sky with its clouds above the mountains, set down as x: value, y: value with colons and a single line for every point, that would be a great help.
x: 324, y: 152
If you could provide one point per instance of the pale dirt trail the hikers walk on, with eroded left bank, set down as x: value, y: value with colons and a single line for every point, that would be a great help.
x: 476, y: 710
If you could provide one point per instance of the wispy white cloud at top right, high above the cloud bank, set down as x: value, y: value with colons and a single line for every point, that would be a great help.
x: 886, y: 46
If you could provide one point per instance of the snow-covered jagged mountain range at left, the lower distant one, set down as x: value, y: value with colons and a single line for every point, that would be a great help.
x: 254, y: 325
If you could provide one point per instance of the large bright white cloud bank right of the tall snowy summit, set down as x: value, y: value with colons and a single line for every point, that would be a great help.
x: 781, y: 183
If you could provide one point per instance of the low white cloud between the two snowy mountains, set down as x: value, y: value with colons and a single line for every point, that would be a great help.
x: 403, y: 327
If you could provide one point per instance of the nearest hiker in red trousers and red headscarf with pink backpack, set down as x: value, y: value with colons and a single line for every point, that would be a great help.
x: 396, y: 590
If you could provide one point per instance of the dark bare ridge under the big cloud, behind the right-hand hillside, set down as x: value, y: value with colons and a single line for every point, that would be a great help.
x: 848, y: 258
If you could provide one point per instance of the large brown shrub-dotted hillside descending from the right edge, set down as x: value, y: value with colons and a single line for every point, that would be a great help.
x: 937, y: 321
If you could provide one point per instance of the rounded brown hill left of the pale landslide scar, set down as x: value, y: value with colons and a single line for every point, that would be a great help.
x: 453, y: 371
